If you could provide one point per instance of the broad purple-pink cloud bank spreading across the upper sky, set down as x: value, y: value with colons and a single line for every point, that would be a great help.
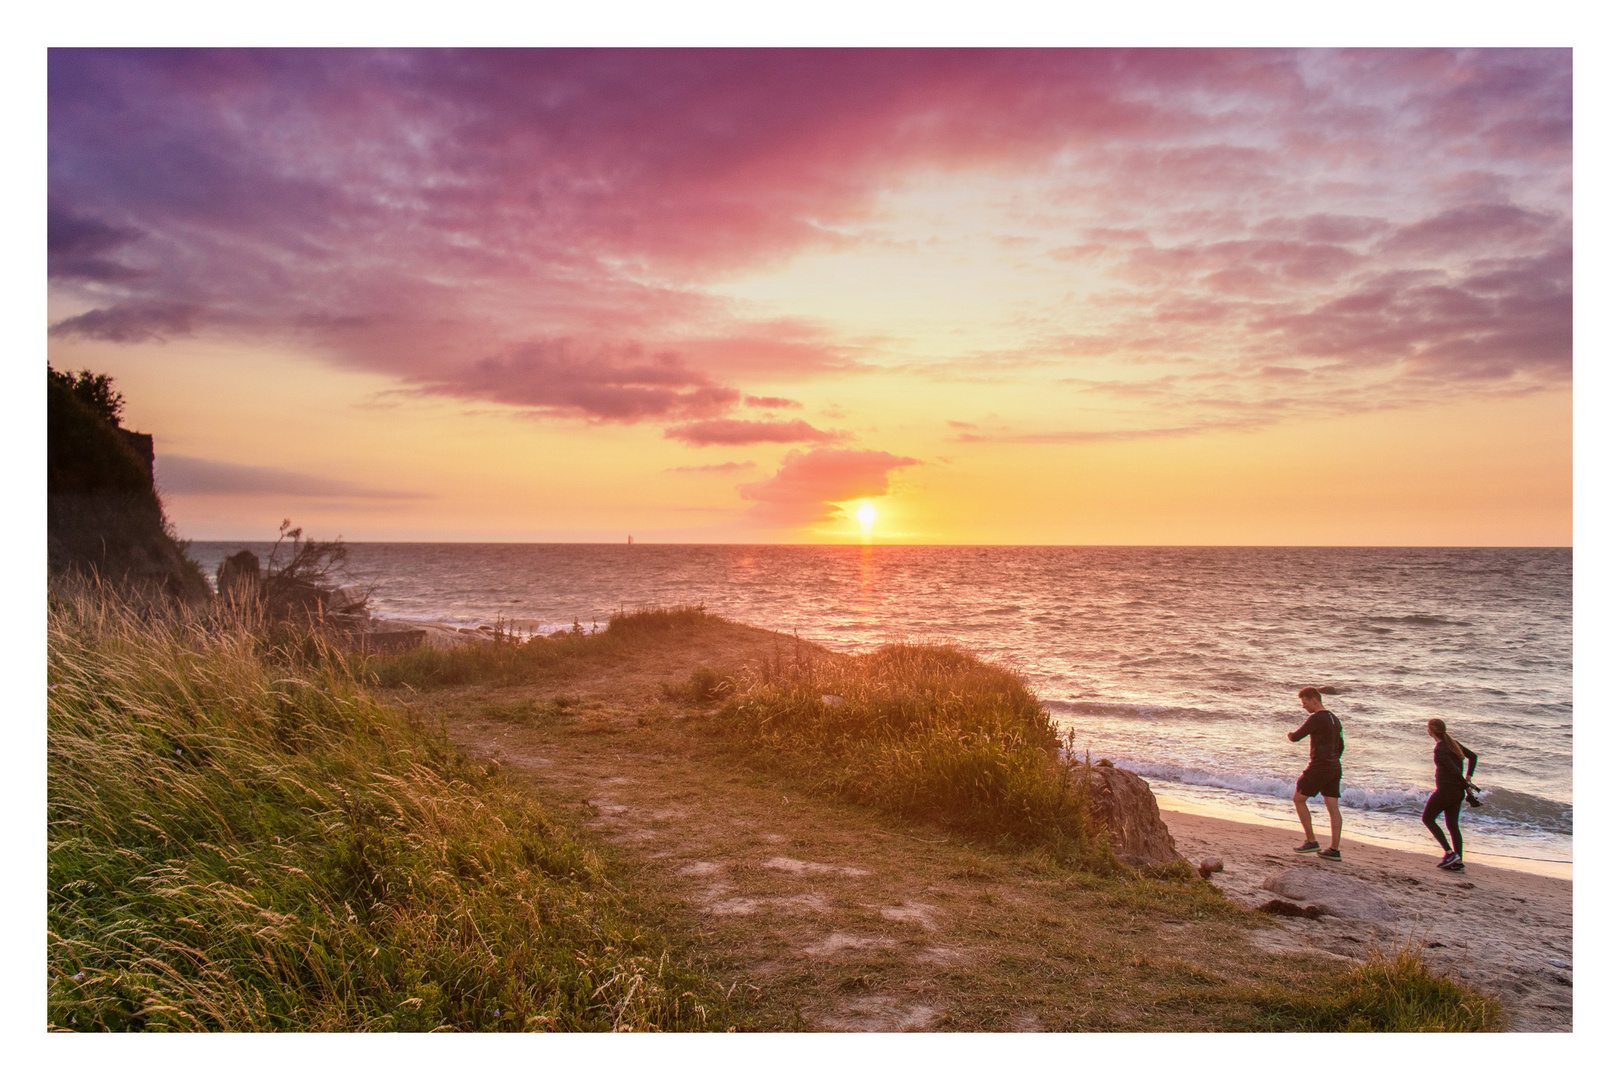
x: 540, y: 227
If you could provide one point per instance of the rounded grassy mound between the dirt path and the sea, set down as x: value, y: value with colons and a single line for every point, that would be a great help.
x: 921, y: 731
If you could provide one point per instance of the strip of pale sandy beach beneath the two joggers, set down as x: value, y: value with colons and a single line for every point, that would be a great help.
x: 1506, y: 932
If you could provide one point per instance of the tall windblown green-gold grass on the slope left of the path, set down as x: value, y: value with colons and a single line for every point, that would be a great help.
x: 242, y: 840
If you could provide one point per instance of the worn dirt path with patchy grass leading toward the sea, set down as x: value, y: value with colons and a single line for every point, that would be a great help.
x: 837, y: 919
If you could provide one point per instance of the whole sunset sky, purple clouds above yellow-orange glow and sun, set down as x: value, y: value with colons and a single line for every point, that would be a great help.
x: 1005, y: 297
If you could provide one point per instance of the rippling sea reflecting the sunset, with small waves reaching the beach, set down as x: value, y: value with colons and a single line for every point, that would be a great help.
x: 1177, y: 663
